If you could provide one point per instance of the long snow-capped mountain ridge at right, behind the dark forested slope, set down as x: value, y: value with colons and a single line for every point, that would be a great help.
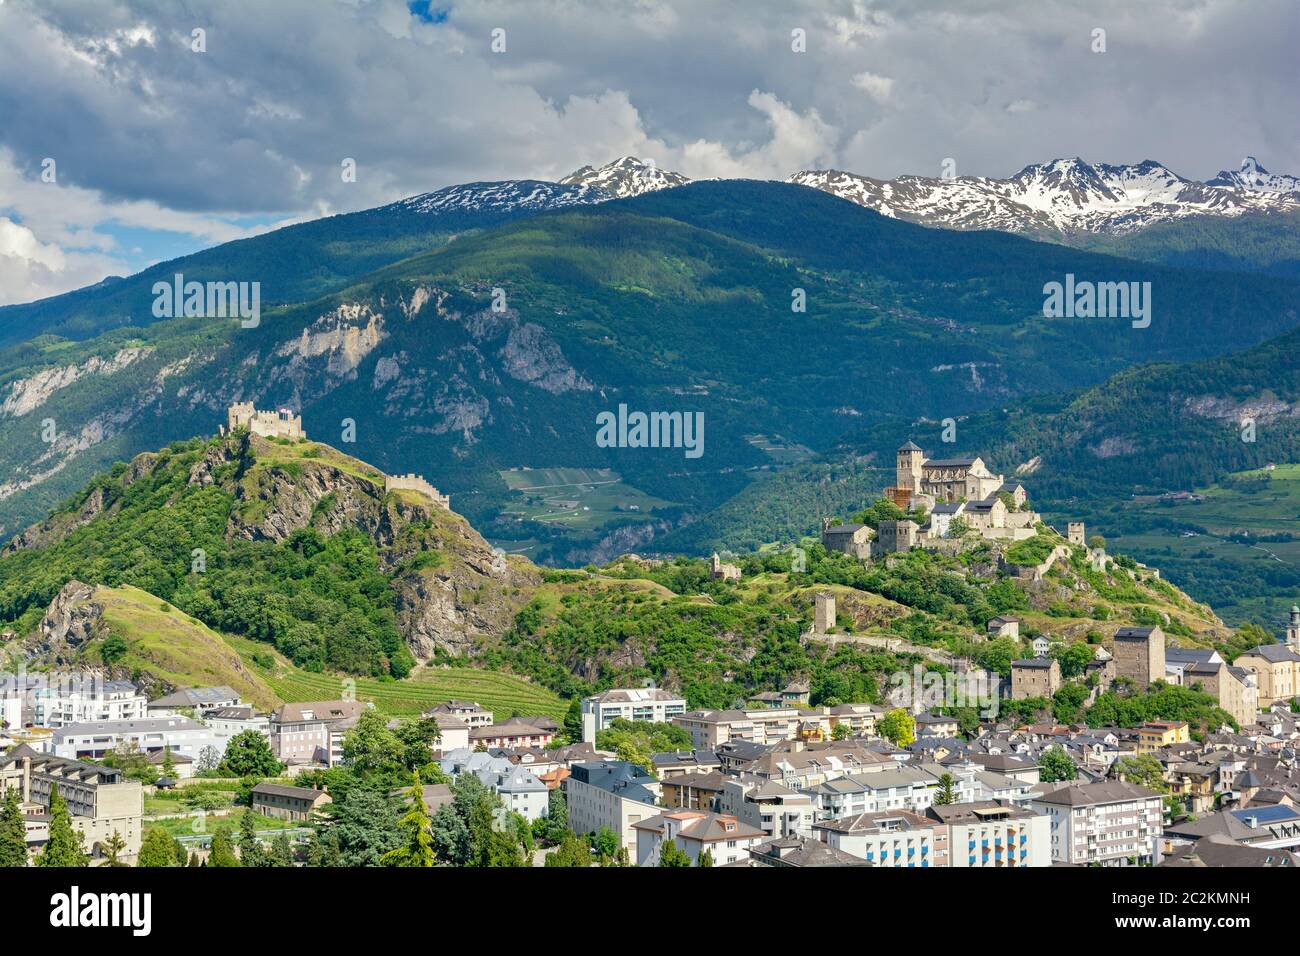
x: 1063, y: 197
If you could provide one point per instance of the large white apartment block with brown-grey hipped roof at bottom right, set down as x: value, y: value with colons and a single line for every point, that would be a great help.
x: 1110, y: 824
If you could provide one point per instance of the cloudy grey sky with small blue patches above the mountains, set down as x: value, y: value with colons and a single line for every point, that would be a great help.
x: 125, y: 140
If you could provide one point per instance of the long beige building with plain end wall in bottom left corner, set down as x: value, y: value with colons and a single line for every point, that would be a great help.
x: 102, y: 801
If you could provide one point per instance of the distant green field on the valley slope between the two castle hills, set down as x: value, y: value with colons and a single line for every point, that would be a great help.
x: 577, y: 499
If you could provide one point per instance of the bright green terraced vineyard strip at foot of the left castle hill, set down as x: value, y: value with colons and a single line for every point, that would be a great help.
x: 502, y: 694
